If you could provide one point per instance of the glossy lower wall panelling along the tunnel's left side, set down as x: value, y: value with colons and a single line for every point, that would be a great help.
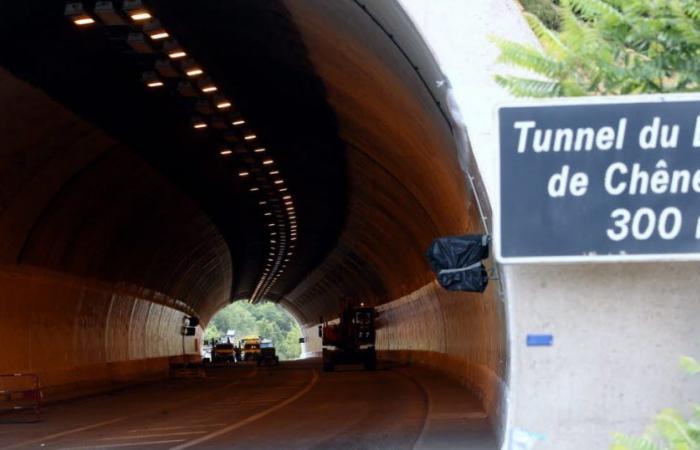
x: 80, y: 336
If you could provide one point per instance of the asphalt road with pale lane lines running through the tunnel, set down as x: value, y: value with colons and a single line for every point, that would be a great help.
x: 293, y: 406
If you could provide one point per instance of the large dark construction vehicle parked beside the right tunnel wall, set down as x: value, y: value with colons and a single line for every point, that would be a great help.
x: 351, y: 339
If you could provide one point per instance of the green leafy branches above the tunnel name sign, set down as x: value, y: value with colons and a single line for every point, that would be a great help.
x: 609, y: 47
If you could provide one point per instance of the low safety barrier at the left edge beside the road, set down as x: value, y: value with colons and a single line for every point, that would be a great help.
x: 20, y: 397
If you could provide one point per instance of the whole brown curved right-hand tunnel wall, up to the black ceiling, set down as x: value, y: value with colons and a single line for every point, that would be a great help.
x: 407, y: 187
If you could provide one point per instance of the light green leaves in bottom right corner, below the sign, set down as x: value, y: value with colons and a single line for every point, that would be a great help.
x: 670, y: 430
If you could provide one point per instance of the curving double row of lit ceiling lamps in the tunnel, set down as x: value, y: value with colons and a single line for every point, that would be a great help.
x: 148, y: 36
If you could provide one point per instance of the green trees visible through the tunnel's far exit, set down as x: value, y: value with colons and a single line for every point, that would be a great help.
x: 267, y: 320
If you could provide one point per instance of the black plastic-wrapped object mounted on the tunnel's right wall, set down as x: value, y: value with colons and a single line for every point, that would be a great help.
x: 456, y: 260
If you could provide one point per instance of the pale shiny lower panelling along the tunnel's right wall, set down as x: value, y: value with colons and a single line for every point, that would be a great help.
x: 454, y: 332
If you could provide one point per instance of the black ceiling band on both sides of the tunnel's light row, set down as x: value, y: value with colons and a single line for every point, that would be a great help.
x: 252, y: 51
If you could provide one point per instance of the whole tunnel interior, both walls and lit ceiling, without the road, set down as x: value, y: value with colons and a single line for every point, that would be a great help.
x: 297, y: 152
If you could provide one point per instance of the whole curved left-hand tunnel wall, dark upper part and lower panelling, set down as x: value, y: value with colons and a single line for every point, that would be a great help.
x: 101, y: 257
